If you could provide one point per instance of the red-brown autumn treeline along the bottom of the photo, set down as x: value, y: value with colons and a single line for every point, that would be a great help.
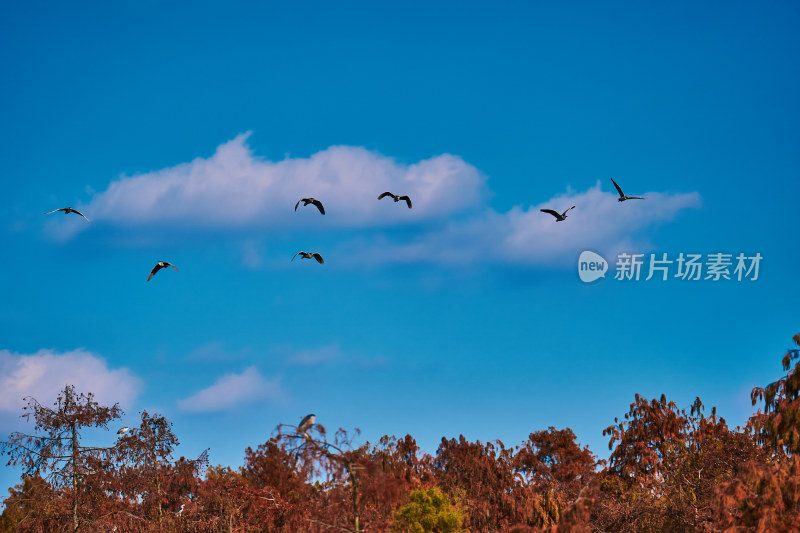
x: 670, y: 469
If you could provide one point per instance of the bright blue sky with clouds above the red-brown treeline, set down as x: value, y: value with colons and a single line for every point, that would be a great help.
x: 186, y: 132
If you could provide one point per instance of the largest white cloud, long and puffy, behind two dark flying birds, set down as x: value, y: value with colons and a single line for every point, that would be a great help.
x: 234, y: 189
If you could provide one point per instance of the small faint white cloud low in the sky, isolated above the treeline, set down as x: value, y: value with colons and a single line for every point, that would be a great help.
x: 232, y: 390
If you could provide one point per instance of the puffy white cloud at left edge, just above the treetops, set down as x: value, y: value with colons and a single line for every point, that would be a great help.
x: 44, y: 374
